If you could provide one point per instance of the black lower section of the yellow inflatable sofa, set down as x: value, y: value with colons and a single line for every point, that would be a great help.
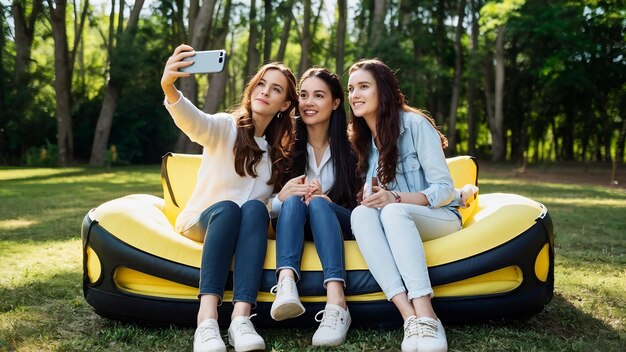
x: 526, y: 300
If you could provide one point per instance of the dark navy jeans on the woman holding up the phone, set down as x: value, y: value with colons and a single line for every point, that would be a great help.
x: 230, y: 230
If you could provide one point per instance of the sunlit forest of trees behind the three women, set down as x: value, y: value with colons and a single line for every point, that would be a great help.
x: 527, y: 81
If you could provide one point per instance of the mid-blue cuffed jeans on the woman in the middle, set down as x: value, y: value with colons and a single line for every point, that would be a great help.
x: 326, y: 221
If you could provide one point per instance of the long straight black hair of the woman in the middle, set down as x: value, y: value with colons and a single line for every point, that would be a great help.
x: 344, y: 189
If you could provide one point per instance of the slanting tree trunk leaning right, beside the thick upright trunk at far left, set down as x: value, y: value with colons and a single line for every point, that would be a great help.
x: 112, y: 92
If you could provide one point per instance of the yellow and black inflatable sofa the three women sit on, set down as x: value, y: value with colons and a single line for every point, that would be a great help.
x: 137, y: 268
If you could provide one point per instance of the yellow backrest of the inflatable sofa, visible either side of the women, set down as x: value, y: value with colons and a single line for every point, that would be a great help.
x: 179, y: 173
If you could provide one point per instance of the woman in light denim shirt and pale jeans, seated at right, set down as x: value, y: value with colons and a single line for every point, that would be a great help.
x: 416, y: 200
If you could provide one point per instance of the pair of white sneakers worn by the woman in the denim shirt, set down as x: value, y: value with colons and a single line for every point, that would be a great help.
x: 424, y: 335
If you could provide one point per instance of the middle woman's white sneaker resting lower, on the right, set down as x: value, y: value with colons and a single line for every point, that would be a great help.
x: 333, y: 327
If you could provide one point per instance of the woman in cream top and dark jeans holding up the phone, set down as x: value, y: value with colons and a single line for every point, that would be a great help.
x: 243, y: 159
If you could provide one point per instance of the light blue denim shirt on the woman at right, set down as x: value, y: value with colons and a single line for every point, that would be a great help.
x: 422, y: 166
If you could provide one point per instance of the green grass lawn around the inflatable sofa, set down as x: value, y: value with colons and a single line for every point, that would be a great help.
x: 42, y: 306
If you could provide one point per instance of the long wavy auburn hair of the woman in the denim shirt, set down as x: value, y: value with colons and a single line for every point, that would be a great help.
x: 390, y: 103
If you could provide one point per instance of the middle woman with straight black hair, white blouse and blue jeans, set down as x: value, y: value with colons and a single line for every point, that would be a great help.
x: 316, y: 203
